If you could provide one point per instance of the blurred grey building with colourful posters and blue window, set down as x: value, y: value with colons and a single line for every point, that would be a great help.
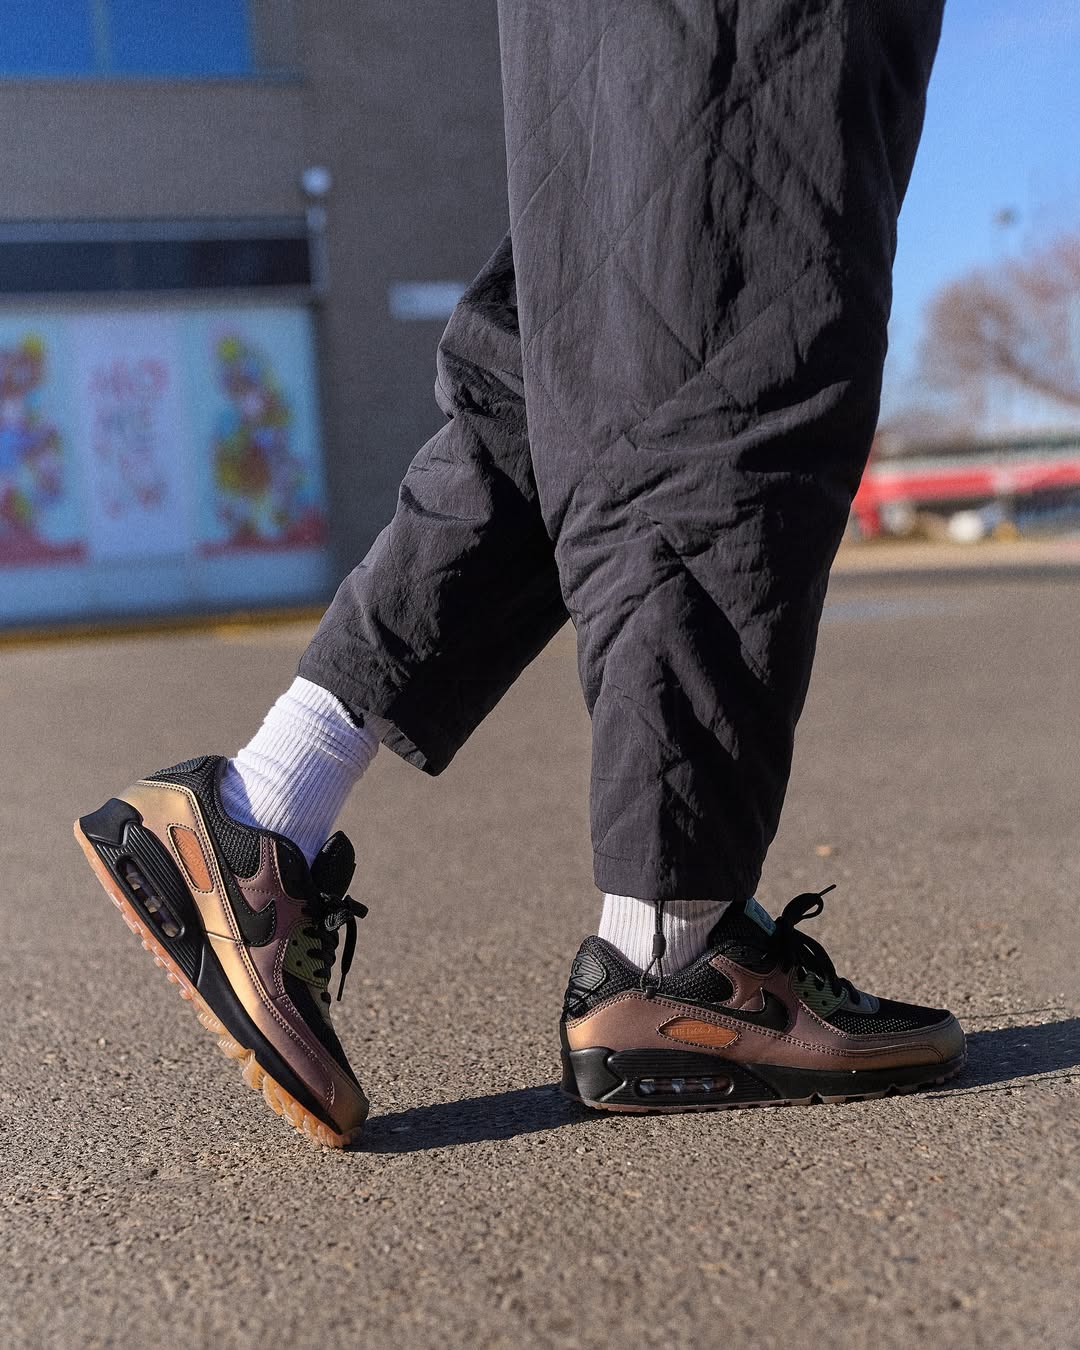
x: 230, y: 236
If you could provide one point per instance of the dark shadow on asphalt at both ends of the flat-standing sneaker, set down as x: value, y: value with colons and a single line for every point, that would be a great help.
x: 998, y: 1062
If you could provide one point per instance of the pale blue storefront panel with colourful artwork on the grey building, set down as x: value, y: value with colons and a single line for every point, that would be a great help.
x: 159, y: 438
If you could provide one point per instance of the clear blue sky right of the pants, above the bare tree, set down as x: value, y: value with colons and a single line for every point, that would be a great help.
x: 1002, y: 132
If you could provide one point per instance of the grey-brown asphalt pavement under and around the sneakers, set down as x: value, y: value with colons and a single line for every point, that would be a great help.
x: 148, y: 1198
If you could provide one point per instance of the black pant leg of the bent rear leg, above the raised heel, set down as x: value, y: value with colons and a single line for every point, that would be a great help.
x: 460, y: 592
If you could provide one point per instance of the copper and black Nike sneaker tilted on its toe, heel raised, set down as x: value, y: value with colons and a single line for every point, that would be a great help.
x: 245, y: 929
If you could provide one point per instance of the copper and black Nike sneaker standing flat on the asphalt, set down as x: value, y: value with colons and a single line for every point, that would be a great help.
x: 759, y: 1020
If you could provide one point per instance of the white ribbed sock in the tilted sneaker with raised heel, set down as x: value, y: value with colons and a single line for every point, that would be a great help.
x: 295, y: 777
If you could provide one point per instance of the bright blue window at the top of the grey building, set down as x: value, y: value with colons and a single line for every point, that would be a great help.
x: 157, y: 38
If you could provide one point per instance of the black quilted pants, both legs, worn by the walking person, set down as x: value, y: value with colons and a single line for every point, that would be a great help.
x: 661, y: 395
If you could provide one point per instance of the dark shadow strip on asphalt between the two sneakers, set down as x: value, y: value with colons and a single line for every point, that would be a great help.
x: 503, y: 1116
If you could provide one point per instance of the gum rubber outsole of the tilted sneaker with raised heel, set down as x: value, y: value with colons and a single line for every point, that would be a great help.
x: 276, y: 1097
